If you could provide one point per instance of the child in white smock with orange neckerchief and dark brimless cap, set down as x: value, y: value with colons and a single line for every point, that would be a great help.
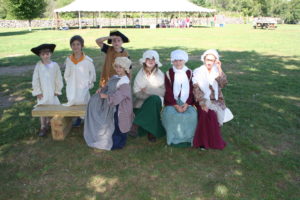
x: 80, y: 75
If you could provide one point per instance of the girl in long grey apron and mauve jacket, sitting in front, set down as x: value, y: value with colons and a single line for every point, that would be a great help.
x: 109, y: 113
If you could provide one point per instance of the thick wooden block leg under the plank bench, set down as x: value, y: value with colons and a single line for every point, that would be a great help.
x: 60, y: 127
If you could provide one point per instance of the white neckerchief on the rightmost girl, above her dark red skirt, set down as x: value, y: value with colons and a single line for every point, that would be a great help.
x: 205, y: 79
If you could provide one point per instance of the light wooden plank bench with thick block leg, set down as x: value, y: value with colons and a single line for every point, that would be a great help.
x: 61, y: 122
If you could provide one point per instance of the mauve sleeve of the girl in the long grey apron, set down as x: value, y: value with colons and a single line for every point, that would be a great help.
x: 121, y: 93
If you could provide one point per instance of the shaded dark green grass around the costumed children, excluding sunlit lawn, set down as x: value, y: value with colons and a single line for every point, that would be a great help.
x: 260, y: 160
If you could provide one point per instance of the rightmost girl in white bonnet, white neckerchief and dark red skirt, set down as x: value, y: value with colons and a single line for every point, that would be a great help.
x: 208, y: 81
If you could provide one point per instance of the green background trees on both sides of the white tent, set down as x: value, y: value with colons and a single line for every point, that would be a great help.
x: 288, y: 10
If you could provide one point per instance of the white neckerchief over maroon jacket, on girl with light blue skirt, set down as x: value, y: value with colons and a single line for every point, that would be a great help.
x: 181, y: 84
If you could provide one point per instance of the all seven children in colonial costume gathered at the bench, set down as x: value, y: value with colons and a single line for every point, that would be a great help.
x: 187, y: 106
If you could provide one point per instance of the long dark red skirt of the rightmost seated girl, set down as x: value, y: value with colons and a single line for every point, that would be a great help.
x: 208, y: 132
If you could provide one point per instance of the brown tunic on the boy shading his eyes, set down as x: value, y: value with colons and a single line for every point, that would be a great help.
x: 108, y: 70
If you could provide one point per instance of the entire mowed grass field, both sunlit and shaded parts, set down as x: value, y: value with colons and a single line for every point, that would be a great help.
x: 261, y: 160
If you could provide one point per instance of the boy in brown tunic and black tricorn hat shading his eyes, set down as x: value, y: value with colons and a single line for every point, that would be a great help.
x: 116, y: 38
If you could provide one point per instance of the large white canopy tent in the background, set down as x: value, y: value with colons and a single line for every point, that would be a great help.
x: 133, y: 6
